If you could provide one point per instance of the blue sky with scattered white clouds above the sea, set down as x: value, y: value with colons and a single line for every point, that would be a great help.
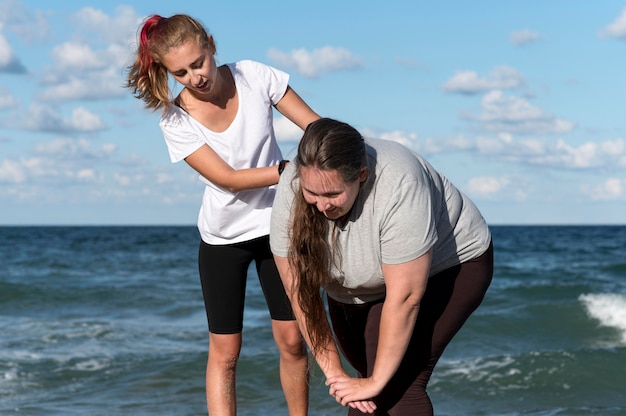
x: 521, y: 104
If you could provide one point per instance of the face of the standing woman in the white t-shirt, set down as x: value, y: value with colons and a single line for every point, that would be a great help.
x: 193, y: 66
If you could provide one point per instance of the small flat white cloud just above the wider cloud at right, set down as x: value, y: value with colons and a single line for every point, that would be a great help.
x: 468, y: 82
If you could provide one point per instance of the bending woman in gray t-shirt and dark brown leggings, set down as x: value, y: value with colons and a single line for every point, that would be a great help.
x: 403, y: 256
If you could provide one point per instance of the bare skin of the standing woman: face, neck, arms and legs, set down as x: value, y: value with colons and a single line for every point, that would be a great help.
x: 210, y: 97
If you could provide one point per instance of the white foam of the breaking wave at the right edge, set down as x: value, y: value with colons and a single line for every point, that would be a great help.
x: 608, y: 308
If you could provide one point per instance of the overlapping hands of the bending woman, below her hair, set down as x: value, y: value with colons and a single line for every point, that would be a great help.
x: 353, y: 392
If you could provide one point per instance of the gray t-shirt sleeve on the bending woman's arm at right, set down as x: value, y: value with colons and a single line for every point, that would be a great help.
x: 408, y: 227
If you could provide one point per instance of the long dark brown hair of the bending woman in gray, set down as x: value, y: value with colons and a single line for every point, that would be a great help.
x: 327, y: 144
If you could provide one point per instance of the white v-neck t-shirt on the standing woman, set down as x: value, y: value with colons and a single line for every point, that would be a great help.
x: 249, y: 142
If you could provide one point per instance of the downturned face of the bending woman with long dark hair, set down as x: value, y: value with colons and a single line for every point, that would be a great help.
x: 327, y: 190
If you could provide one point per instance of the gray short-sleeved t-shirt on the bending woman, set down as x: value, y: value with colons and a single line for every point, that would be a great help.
x: 403, y: 209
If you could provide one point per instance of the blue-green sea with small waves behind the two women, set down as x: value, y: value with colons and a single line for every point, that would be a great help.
x: 110, y: 321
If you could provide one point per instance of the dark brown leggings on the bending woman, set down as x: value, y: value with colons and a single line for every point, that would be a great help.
x: 450, y: 298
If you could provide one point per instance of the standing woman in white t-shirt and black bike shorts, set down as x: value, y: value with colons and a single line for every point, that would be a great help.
x: 221, y: 125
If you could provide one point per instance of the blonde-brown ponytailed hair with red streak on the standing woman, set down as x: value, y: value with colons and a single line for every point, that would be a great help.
x: 147, y: 76
